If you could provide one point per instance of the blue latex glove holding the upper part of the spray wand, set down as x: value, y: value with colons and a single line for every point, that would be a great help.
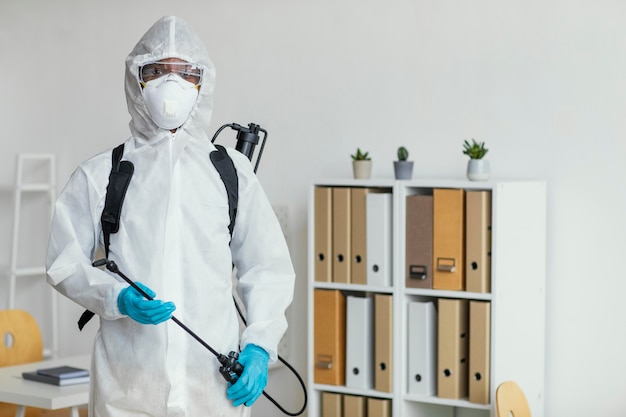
x: 133, y: 304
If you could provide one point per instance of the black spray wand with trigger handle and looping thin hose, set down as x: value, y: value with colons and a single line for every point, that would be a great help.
x: 231, y: 369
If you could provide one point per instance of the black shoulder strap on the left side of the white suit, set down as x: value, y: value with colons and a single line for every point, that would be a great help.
x: 119, y: 179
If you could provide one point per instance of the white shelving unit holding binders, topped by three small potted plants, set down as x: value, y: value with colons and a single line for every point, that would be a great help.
x: 517, y: 297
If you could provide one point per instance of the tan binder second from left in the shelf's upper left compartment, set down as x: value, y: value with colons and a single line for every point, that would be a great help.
x: 341, y: 234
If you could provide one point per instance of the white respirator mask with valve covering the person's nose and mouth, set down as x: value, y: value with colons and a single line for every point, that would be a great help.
x: 169, y: 100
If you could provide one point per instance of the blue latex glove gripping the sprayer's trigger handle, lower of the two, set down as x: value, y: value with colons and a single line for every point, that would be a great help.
x: 253, y: 379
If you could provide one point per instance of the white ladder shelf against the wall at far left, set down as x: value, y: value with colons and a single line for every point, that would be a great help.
x: 21, y: 186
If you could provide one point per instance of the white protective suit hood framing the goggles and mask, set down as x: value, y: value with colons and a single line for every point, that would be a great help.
x: 169, y: 37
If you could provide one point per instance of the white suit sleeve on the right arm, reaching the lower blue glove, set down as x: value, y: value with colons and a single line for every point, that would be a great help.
x: 265, y: 272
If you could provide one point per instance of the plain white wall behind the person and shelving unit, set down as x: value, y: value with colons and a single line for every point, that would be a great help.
x: 542, y: 82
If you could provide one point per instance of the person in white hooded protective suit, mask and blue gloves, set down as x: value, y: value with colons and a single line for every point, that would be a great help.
x: 174, y: 239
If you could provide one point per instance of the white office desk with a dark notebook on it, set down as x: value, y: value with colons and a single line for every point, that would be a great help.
x: 16, y: 390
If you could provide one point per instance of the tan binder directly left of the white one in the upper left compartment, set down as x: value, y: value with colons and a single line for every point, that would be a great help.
x: 358, y: 226
